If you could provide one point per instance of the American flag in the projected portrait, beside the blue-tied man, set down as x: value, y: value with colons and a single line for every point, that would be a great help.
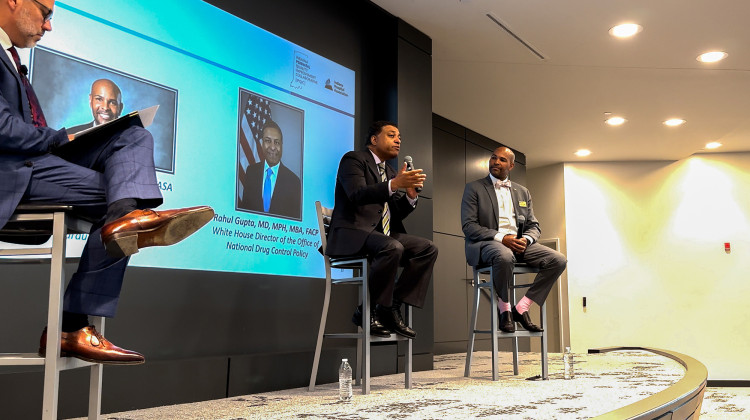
x: 255, y: 112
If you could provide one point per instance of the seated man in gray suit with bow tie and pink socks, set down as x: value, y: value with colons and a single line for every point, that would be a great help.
x: 500, y: 229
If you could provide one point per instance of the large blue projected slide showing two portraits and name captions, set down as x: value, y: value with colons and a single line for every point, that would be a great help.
x: 251, y: 124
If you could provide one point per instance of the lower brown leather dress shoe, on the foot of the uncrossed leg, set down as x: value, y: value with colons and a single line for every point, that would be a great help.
x: 87, y: 344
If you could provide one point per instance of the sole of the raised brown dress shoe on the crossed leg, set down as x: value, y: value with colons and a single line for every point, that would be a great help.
x: 173, y: 231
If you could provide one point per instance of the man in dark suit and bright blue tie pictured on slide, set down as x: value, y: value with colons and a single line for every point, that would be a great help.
x: 269, y: 186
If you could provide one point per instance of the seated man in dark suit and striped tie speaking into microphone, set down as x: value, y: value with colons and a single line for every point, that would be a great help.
x: 367, y: 219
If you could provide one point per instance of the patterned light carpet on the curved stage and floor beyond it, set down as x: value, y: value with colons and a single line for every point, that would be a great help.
x: 602, y: 382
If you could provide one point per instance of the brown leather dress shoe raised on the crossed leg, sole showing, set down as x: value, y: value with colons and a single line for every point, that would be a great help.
x: 143, y: 228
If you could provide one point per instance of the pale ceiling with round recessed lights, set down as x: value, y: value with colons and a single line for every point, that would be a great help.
x: 548, y: 108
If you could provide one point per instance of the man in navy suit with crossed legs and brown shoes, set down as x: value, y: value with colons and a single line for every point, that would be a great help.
x: 113, y: 182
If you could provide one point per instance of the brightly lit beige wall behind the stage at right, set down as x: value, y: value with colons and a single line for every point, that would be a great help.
x: 645, y: 245
